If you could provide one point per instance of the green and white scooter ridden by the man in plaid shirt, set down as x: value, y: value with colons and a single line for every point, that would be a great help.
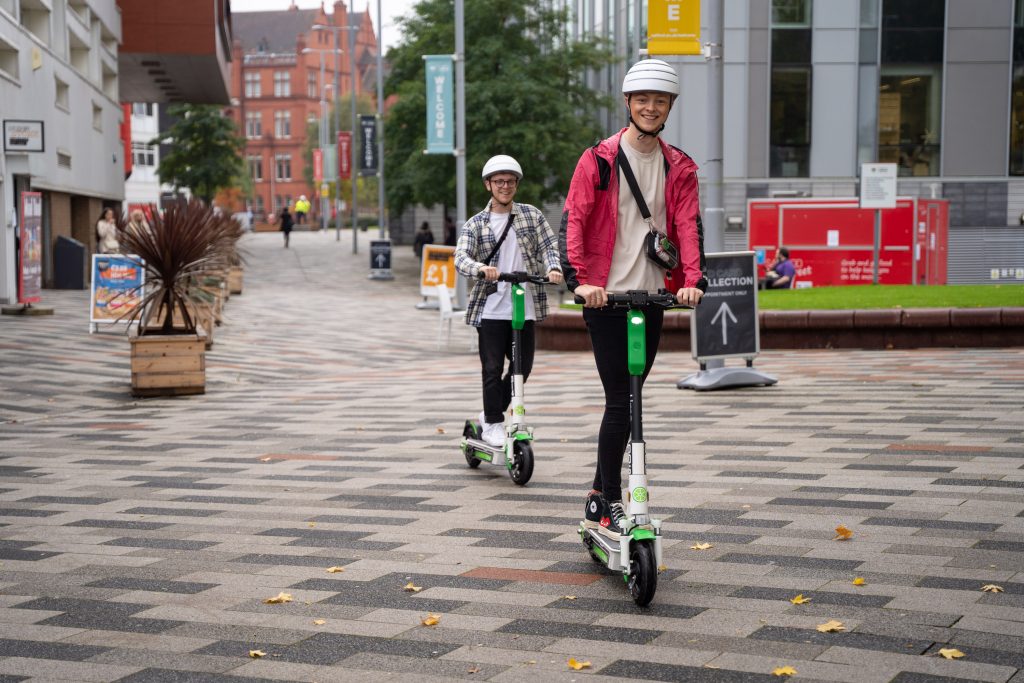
x: 518, y: 453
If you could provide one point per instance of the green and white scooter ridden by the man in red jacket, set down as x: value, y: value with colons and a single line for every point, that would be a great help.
x: 637, y: 554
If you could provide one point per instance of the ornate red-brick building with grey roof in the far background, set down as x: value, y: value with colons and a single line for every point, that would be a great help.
x: 277, y: 89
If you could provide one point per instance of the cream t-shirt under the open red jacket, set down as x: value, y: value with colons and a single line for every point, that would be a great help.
x: 631, y: 270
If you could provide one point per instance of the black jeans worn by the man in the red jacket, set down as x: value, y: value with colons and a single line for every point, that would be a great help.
x: 608, y: 336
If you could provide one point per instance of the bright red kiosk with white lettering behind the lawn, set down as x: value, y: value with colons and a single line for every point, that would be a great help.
x: 831, y: 240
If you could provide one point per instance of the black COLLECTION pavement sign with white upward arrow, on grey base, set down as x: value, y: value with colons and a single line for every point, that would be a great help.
x: 726, y: 325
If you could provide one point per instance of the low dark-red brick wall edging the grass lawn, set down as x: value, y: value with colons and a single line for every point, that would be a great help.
x: 873, y: 329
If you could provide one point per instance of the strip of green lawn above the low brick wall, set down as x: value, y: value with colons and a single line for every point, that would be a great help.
x: 889, y: 296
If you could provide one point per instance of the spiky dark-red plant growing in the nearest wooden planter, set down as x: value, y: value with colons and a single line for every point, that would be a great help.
x: 181, y: 246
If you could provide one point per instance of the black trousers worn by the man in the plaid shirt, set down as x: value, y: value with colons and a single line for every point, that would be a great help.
x: 496, y: 347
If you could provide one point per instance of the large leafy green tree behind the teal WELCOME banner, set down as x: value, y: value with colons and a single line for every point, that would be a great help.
x: 526, y: 97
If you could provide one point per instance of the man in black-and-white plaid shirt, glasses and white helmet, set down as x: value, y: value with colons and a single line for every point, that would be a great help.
x: 506, y: 237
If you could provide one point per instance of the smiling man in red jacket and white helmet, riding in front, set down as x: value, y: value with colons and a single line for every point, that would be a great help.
x: 603, y: 248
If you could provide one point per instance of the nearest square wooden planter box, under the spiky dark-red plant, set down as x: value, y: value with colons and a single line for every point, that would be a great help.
x: 167, y: 365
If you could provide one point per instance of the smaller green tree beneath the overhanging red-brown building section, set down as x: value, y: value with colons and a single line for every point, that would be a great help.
x: 205, y: 151
